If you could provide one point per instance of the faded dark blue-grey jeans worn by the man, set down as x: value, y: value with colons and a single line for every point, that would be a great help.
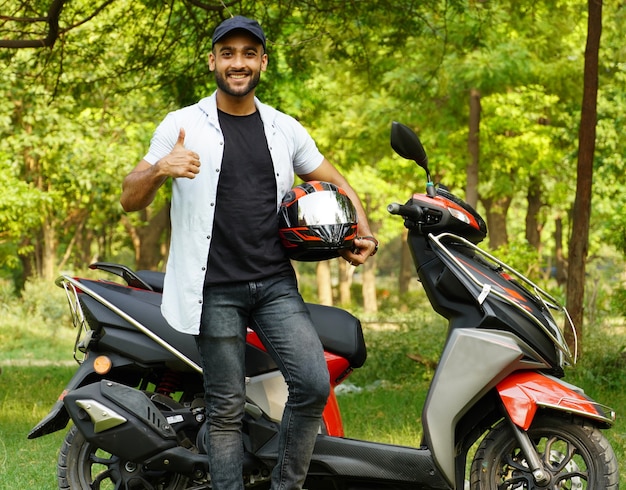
x: 274, y: 309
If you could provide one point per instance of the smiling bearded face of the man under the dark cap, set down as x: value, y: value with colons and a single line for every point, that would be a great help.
x: 238, y: 61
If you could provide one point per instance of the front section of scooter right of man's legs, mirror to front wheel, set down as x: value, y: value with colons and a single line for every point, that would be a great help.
x: 497, y: 390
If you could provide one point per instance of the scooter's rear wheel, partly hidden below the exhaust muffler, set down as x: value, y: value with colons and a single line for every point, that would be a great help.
x: 82, y: 464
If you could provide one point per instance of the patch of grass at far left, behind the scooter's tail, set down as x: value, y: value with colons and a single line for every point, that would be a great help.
x: 35, y: 362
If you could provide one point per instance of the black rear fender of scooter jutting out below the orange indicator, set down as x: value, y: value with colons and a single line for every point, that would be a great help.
x: 58, y: 418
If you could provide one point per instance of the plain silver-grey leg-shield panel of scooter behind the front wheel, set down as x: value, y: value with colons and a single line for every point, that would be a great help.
x: 473, y: 362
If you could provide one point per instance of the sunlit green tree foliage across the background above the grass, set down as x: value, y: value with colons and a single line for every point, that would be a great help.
x: 76, y: 118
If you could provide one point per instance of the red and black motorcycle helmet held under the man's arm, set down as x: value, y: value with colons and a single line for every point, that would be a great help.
x: 316, y: 221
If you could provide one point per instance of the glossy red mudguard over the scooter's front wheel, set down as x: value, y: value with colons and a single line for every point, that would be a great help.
x: 524, y: 392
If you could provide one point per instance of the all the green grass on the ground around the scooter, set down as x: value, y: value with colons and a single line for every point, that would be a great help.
x: 381, y: 401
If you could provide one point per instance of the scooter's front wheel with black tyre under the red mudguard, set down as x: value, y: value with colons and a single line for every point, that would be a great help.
x: 575, y: 455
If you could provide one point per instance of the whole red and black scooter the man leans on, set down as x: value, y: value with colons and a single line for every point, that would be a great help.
x: 496, y: 396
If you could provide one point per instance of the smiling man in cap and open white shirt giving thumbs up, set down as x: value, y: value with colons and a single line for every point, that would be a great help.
x: 232, y: 159
